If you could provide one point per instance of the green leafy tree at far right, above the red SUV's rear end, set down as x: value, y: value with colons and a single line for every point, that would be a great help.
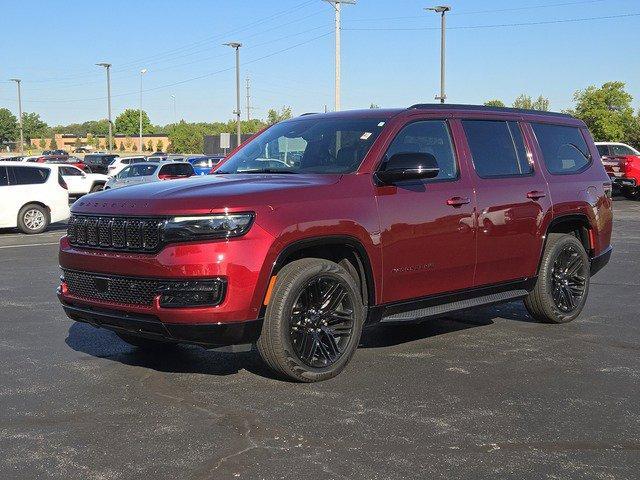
x: 606, y: 110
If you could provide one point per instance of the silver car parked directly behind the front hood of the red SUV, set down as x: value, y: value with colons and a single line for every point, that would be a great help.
x: 147, y: 172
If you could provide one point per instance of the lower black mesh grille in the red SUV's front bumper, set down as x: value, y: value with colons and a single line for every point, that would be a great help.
x: 114, y: 289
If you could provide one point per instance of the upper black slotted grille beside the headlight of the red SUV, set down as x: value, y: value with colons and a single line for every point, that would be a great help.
x: 132, y: 234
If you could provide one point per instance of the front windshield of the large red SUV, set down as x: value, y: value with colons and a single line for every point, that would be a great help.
x: 313, y: 144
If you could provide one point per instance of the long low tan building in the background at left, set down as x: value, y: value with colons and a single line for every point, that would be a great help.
x: 123, y: 143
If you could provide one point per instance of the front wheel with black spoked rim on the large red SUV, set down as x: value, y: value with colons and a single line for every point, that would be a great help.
x: 330, y: 335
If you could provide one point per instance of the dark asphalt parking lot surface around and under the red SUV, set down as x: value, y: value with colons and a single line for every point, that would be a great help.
x: 482, y: 394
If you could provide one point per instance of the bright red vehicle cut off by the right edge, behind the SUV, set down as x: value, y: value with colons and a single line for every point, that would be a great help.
x: 622, y: 163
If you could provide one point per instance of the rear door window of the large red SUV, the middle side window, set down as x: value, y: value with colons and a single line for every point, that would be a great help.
x: 497, y: 148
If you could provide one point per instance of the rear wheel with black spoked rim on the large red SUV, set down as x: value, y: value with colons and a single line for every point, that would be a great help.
x: 562, y: 285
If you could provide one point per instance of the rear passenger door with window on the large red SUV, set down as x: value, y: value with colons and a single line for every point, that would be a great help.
x: 512, y: 200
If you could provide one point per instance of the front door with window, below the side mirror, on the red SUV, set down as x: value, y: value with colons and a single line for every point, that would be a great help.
x: 427, y: 229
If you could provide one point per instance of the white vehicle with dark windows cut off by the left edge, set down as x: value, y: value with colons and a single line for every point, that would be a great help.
x: 32, y: 196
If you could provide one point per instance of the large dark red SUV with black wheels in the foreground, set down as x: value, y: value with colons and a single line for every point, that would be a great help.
x: 326, y: 223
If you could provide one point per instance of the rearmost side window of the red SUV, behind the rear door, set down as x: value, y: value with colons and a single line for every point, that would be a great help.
x: 563, y: 148
